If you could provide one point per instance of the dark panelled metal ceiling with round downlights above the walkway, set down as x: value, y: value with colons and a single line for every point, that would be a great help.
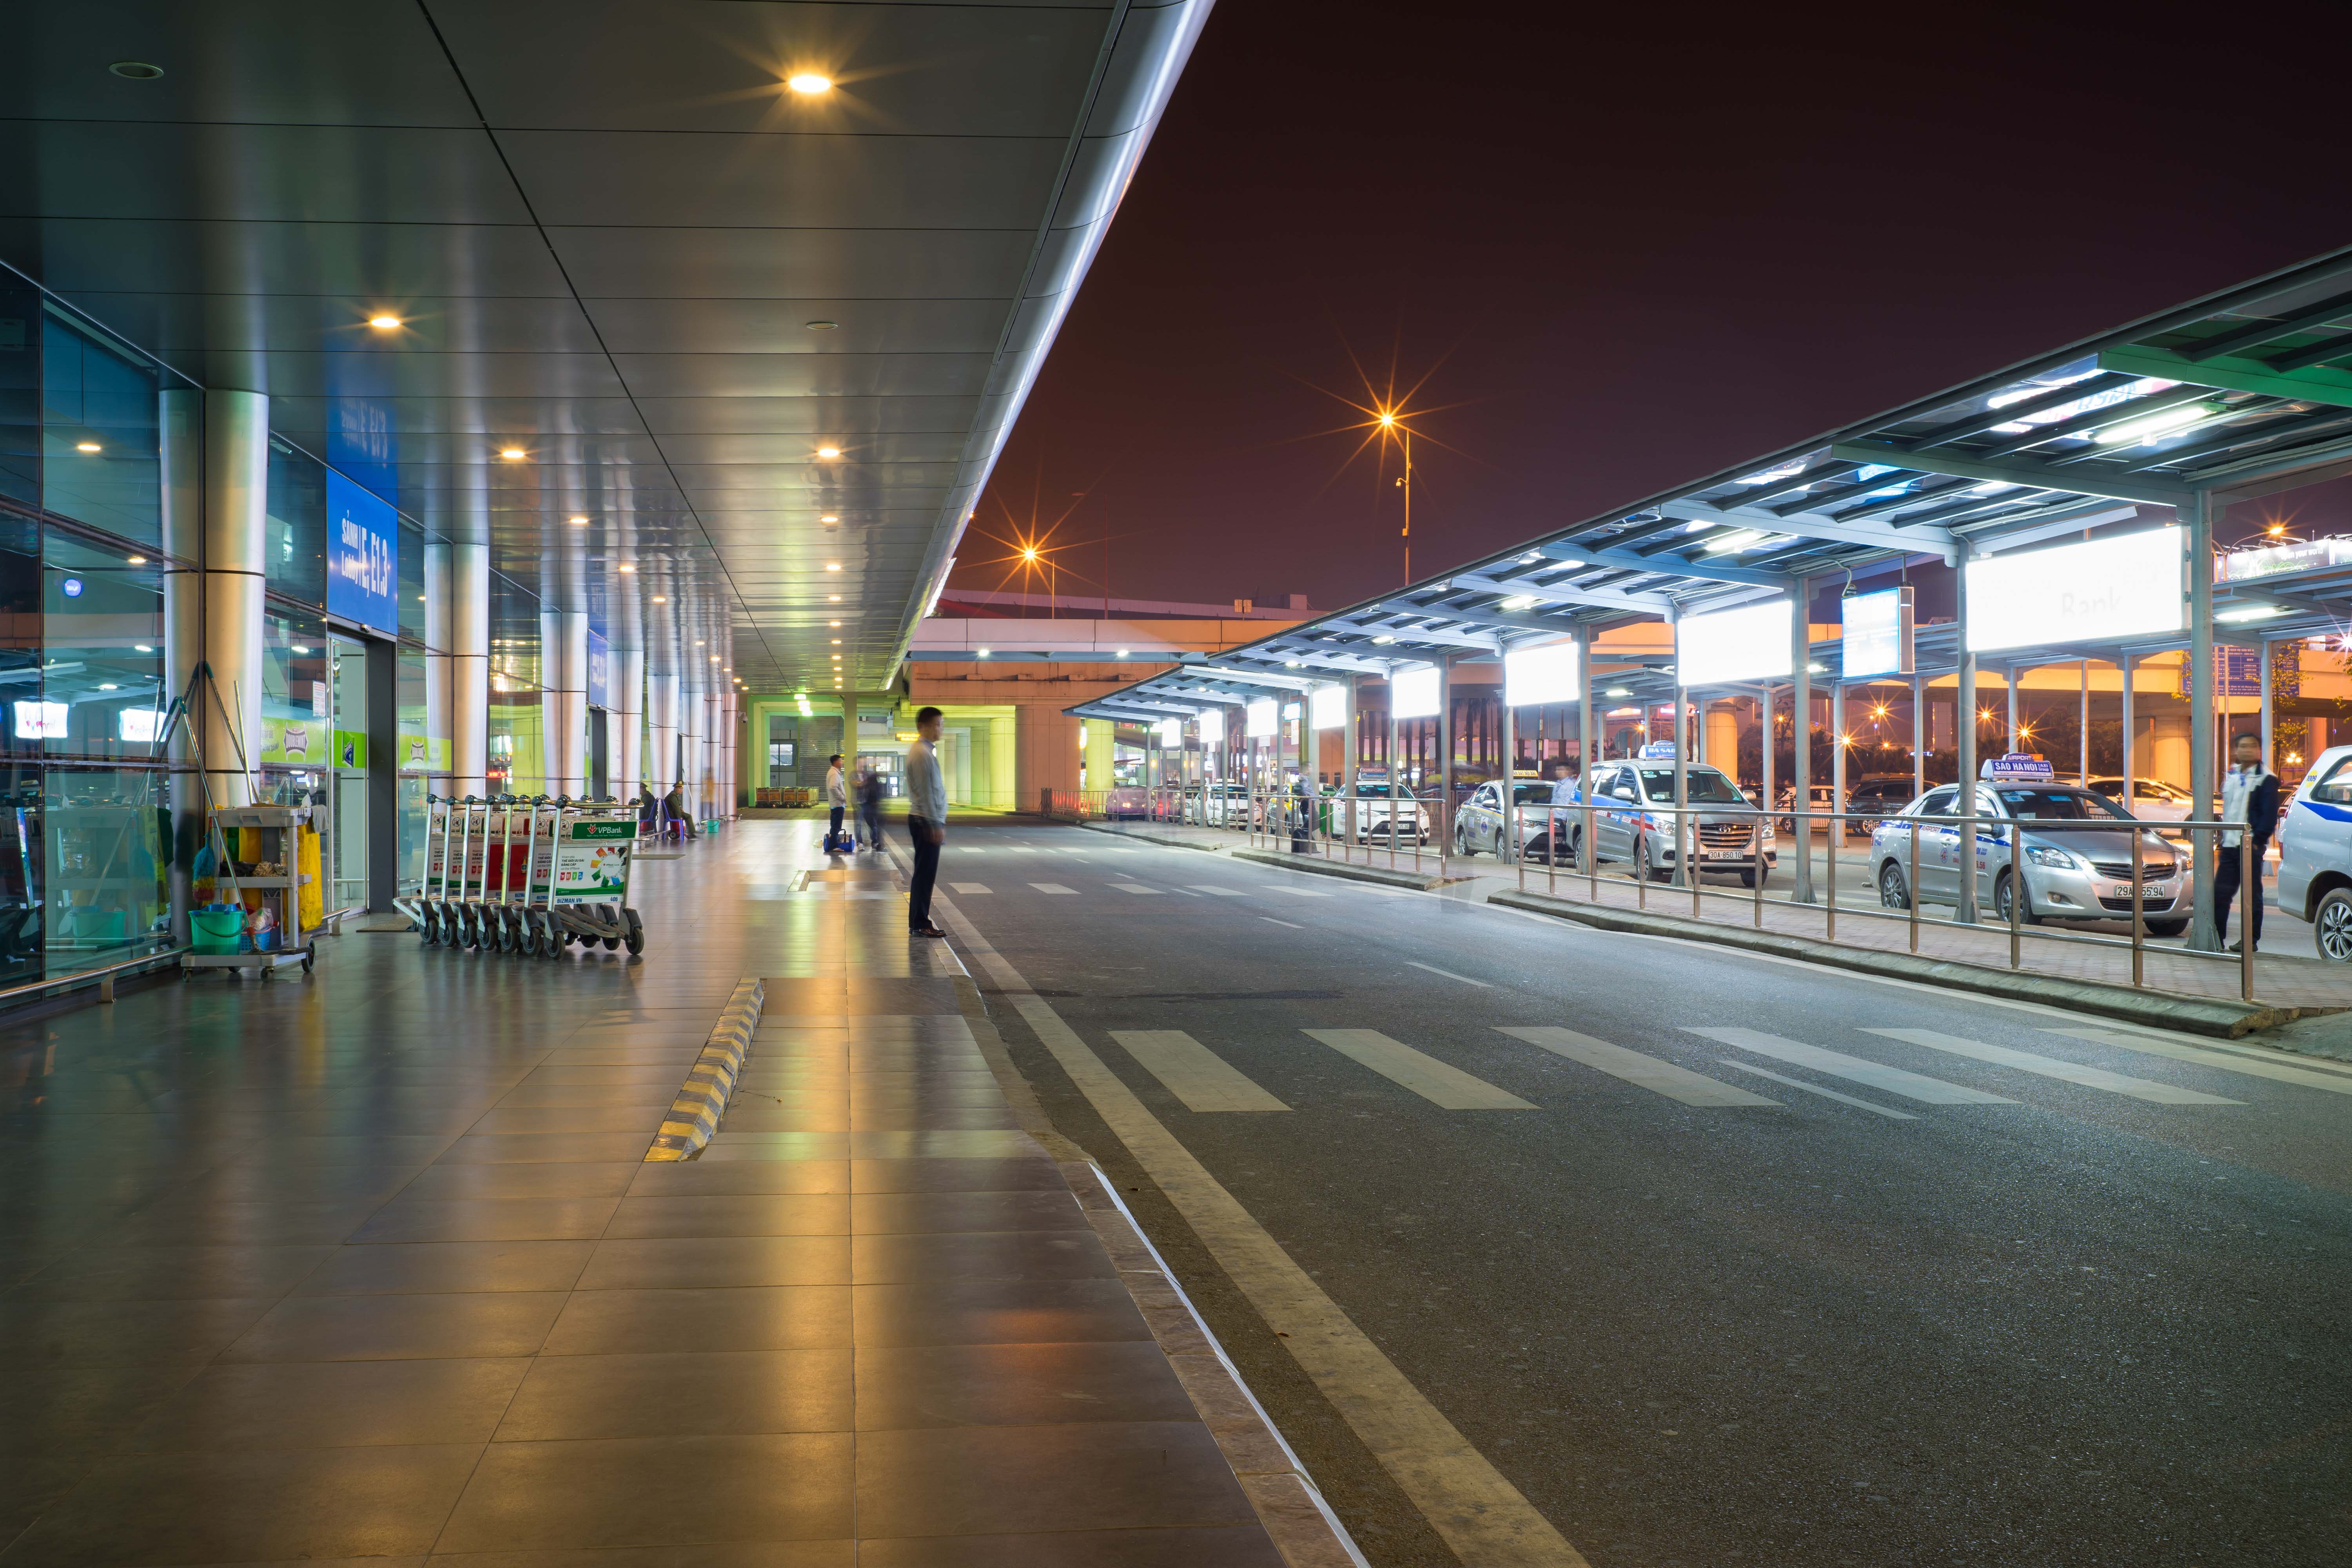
x: 620, y: 243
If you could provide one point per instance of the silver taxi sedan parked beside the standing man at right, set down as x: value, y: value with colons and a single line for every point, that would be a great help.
x: 2078, y: 857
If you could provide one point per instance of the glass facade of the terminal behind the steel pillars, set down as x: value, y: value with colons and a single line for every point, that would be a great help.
x: 88, y: 803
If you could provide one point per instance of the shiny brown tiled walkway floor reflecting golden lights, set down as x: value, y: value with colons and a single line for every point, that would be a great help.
x: 370, y: 1268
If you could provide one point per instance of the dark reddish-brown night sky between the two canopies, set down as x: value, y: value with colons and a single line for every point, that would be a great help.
x: 1622, y: 255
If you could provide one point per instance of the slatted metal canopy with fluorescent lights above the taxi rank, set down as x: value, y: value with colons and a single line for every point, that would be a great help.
x: 2238, y: 394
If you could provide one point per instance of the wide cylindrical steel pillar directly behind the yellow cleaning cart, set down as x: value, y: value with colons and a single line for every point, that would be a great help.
x: 236, y: 572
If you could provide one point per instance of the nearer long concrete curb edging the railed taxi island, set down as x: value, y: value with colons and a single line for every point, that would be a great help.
x: 2158, y: 1010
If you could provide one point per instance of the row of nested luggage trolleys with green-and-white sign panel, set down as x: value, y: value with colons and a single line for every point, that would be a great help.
x: 528, y: 876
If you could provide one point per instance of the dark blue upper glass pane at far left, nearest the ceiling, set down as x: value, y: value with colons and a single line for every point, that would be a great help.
x: 100, y: 436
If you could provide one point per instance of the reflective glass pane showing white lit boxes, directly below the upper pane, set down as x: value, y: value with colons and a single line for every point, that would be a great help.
x: 102, y: 657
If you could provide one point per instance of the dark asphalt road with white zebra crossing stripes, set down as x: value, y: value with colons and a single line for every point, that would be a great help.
x: 2022, y: 1320
